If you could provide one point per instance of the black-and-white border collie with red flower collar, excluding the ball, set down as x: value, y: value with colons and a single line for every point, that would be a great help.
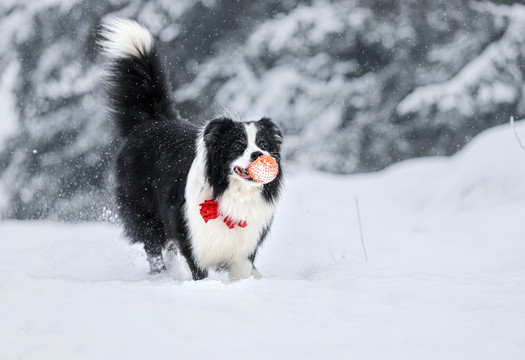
x: 168, y: 169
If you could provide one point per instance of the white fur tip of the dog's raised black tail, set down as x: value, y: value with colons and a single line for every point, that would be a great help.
x: 125, y: 38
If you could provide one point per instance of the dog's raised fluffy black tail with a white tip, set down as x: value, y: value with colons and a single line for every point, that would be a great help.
x: 137, y: 82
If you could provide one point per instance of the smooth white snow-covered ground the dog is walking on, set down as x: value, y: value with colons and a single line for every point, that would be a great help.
x: 445, y: 277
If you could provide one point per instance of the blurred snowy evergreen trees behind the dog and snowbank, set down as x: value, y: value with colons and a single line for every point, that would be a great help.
x: 356, y: 85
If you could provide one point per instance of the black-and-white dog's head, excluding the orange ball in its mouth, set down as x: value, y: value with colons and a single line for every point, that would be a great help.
x: 230, y: 147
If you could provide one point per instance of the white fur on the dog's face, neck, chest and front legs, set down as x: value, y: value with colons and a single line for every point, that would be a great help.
x: 213, y: 243
